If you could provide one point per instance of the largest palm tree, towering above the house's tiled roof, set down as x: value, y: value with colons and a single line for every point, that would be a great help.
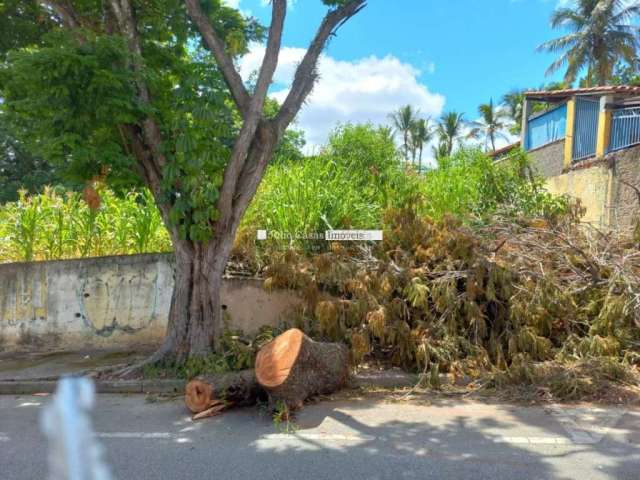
x: 600, y: 36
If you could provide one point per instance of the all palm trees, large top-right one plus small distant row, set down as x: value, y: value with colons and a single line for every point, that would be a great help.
x: 601, y: 45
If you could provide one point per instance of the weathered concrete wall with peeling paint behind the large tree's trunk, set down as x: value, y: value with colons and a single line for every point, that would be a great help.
x: 111, y: 302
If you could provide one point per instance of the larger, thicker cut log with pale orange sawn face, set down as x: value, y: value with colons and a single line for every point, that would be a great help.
x: 293, y: 368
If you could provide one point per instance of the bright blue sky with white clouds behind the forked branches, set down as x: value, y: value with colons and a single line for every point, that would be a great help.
x: 439, y: 55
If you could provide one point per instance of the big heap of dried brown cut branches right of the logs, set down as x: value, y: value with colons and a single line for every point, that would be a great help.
x: 491, y: 298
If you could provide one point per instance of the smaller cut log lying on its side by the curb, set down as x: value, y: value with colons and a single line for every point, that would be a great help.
x: 234, y: 388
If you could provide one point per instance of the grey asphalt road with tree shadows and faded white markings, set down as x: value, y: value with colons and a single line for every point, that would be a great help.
x: 342, y: 439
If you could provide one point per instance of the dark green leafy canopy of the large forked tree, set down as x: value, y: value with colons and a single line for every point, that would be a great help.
x: 71, y: 95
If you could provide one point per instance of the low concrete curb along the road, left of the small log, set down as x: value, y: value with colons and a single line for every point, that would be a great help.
x: 30, y: 387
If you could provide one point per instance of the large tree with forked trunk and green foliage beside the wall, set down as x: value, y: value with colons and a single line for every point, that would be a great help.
x: 149, y: 89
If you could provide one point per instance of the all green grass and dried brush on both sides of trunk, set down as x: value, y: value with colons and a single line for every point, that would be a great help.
x: 481, y: 272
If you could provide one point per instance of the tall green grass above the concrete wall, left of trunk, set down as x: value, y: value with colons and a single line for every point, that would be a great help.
x: 56, y: 225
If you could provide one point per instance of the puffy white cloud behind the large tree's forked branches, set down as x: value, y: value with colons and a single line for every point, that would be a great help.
x: 363, y: 90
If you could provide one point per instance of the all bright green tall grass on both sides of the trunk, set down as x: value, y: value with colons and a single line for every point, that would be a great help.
x: 356, y: 177
